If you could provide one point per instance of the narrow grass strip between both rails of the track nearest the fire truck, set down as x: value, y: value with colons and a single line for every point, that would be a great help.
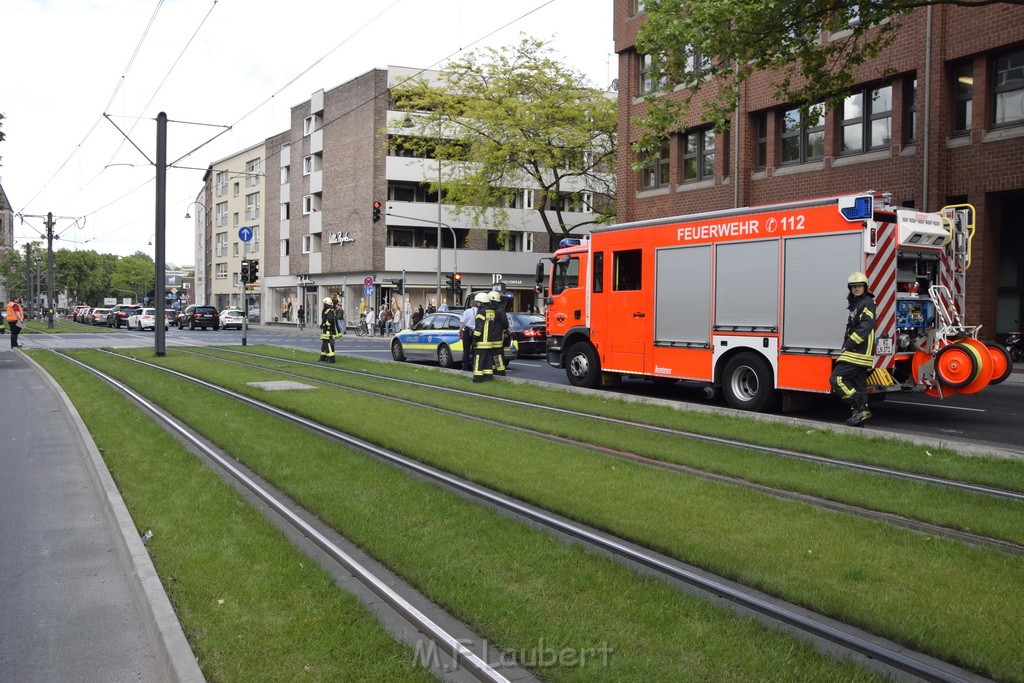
x: 999, y: 519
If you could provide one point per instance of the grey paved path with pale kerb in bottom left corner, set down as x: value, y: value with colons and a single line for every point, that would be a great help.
x: 79, y: 597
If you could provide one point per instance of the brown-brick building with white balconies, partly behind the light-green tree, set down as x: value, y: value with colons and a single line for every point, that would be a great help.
x: 330, y: 167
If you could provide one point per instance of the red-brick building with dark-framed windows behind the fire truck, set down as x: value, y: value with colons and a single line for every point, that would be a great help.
x: 936, y: 119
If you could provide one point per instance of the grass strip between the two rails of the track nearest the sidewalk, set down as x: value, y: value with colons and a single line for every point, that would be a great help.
x: 525, y: 590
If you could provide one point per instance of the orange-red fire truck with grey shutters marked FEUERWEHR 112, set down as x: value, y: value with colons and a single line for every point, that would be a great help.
x: 751, y: 302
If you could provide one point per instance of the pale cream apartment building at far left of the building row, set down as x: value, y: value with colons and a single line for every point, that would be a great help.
x: 235, y: 193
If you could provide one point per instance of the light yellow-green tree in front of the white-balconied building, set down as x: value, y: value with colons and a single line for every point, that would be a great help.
x: 513, y: 120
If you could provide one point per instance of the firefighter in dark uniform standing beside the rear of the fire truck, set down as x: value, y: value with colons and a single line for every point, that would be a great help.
x: 849, y: 378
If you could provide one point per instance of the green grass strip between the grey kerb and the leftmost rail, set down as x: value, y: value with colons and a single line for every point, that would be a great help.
x: 252, y: 606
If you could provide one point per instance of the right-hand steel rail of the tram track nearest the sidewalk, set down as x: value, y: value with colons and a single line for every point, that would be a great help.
x: 813, y: 625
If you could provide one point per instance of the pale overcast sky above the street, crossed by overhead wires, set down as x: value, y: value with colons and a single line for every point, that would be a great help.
x: 84, y: 80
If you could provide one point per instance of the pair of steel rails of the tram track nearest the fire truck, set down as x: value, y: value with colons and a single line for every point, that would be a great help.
x: 631, y: 456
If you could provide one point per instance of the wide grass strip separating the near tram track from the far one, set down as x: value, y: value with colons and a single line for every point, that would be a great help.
x: 957, y: 603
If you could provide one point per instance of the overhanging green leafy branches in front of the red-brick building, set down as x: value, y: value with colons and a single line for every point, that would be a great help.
x: 810, y: 48
